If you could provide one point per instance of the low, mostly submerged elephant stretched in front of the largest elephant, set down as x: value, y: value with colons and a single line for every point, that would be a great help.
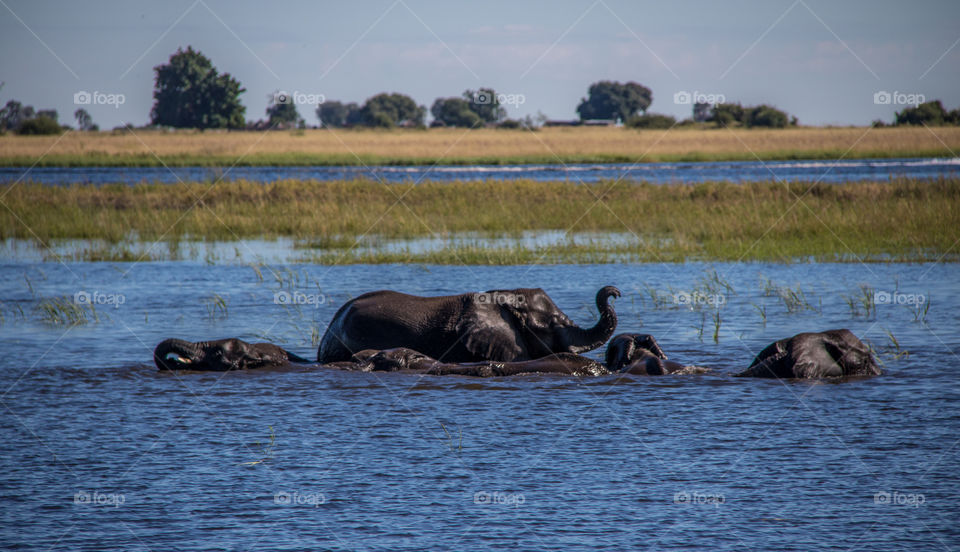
x: 405, y: 359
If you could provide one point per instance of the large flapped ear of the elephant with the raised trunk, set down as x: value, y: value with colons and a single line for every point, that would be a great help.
x: 486, y: 333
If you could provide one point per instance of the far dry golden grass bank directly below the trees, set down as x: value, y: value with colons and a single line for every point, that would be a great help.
x: 482, y: 146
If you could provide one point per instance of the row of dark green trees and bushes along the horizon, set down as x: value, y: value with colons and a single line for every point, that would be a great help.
x: 189, y: 92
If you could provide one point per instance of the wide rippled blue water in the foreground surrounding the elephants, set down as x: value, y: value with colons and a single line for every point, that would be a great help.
x: 100, y: 451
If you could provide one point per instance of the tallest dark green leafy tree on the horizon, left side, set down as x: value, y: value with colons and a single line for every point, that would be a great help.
x: 189, y: 93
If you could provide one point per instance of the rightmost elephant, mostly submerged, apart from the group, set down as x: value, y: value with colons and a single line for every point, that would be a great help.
x: 829, y: 354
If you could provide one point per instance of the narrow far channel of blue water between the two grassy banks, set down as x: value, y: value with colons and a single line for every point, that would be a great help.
x: 831, y: 171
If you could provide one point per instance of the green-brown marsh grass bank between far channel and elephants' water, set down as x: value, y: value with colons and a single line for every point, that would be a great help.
x: 344, y: 221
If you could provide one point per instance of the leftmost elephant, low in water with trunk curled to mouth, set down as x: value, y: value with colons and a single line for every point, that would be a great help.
x: 220, y: 355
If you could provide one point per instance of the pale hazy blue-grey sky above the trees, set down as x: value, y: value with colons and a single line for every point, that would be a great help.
x: 822, y: 61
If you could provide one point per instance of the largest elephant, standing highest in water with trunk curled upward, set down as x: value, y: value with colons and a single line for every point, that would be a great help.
x: 500, y: 325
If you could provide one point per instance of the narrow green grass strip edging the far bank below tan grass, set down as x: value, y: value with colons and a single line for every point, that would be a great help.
x: 301, y: 159
